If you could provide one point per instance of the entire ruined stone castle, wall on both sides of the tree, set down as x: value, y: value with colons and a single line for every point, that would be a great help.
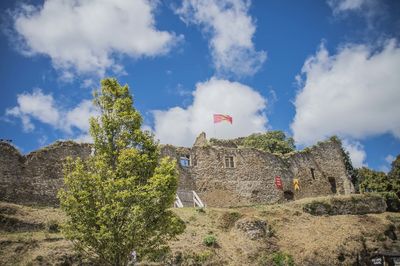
x: 221, y: 172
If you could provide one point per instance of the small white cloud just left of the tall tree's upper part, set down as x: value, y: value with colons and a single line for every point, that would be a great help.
x: 41, y: 107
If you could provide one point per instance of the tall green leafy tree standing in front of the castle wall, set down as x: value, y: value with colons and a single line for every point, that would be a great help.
x: 118, y: 200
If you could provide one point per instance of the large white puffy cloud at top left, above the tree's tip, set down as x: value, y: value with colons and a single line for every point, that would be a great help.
x: 85, y: 35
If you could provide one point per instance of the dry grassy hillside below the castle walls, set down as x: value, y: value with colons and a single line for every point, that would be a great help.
x: 254, y: 235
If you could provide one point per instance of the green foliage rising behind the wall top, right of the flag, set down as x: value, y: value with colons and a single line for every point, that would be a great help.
x: 271, y: 141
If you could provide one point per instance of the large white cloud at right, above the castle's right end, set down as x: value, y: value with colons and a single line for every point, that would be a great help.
x: 355, y: 93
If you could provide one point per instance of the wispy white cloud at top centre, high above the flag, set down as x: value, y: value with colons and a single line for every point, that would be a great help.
x: 231, y: 29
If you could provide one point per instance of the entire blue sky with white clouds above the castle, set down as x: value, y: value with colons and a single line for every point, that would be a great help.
x: 312, y: 69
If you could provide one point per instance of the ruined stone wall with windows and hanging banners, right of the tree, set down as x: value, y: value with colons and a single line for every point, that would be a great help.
x: 252, y: 178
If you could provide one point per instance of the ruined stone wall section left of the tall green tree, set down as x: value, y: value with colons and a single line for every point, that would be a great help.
x: 36, y: 177
